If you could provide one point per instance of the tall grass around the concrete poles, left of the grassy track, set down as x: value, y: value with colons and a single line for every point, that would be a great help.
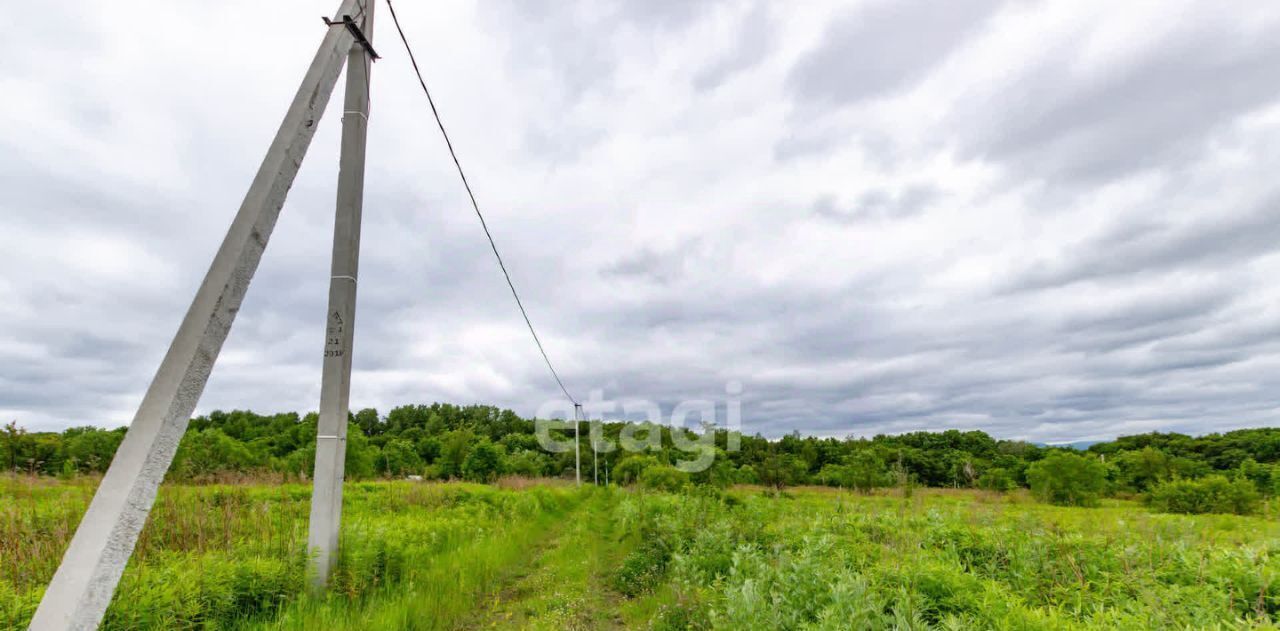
x: 230, y: 557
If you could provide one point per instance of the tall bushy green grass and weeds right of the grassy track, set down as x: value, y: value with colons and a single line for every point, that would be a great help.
x: 945, y: 561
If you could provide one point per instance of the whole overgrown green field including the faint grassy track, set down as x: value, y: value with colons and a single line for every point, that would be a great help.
x: 532, y: 556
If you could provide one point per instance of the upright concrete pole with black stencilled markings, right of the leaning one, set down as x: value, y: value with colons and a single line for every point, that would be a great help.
x: 326, y: 522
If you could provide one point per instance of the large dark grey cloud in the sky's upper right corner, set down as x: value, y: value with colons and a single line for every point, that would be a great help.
x: 1057, y: 122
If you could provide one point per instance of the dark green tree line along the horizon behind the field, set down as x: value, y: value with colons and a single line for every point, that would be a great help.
x: 479, y: 443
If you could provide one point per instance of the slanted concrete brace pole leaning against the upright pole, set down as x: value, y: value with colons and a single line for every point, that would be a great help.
x: 85, y: 582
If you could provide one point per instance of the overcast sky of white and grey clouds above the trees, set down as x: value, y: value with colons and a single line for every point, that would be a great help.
x: 1048, y: 221
